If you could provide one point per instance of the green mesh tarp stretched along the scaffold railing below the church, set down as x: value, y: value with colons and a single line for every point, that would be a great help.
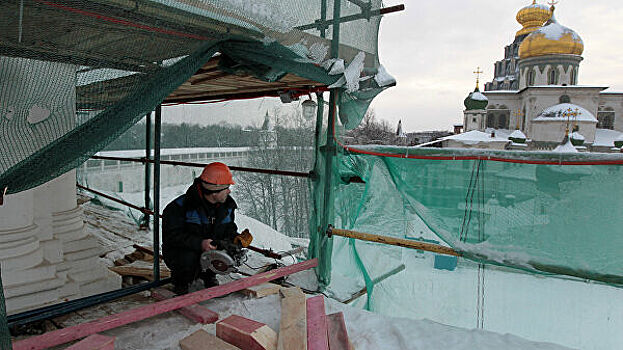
x: 541, y: 212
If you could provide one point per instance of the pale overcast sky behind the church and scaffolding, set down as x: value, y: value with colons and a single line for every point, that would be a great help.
x: 433, y: 47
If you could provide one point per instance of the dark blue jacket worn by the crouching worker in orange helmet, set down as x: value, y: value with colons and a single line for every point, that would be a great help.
x: 190, y: 219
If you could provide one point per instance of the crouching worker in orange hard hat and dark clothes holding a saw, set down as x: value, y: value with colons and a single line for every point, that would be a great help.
x: 193, y: 222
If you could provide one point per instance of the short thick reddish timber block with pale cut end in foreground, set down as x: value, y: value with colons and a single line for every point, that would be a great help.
x: 246, y: 334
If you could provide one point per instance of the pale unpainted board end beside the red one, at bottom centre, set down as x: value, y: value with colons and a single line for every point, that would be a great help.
x: 293, y: 325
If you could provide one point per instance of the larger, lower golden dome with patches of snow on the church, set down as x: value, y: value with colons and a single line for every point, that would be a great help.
x: 551, y: 39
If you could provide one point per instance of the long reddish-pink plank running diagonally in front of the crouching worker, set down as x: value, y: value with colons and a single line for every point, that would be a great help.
x: 65, y: 335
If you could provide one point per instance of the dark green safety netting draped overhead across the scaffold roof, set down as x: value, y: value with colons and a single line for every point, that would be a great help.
x: 76, y: 75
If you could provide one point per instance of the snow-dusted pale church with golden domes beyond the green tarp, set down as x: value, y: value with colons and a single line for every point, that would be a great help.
x: 535, y: 102
